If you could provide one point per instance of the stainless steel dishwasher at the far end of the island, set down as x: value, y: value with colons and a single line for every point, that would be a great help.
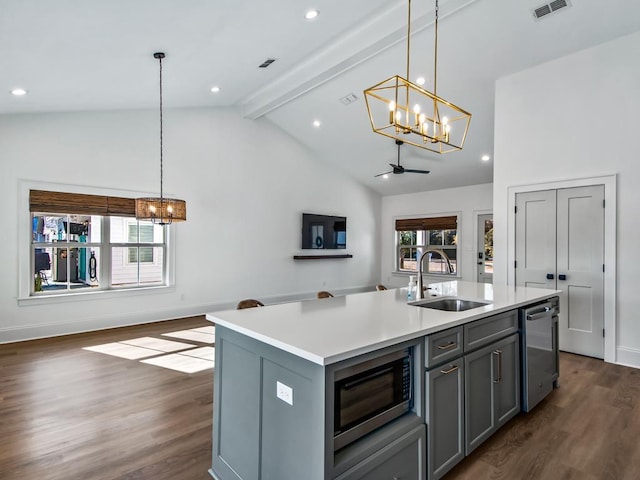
x: 539, y: 341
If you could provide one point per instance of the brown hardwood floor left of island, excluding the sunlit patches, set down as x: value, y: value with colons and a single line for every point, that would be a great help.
x: 67, y: 413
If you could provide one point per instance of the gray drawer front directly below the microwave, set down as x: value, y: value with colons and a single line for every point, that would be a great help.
x: 402, y: 459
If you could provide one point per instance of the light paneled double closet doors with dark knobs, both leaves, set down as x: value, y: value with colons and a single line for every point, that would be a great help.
x: 560, y: 245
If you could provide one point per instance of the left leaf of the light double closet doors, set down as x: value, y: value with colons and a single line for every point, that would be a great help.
x: 536, y: 239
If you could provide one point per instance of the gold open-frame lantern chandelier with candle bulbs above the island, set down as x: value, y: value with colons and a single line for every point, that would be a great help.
x: 407, y: 112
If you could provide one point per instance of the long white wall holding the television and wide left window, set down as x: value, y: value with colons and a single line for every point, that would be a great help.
x: 246, y: 184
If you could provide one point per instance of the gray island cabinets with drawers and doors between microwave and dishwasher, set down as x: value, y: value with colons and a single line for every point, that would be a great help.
x: 472, y: 387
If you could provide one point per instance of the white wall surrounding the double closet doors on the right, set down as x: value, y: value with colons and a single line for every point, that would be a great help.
x: 573, y: 118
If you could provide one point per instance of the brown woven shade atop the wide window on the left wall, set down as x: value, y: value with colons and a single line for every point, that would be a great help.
x: 81, y: 204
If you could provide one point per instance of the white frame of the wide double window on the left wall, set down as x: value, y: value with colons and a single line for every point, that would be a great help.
x: 25, y: 249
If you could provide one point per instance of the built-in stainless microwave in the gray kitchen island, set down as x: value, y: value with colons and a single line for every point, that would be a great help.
x: 370, y: 394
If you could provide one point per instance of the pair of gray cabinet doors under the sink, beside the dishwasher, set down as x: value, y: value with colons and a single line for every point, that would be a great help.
x: 492, y: 389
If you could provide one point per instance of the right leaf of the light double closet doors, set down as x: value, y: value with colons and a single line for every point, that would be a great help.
x: 580, y: 259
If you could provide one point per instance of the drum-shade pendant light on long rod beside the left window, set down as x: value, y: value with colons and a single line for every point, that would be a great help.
x: 161, y: 210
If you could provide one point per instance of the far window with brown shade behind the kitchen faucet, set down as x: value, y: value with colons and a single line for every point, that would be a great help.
x: 437, y: 236
